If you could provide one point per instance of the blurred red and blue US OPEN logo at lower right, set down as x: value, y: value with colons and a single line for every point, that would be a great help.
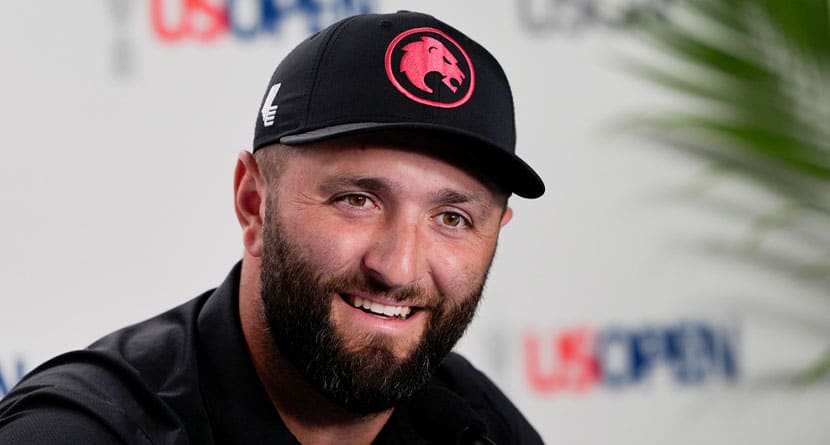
x: 578, y: 359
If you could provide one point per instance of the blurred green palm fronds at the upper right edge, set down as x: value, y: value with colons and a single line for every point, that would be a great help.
x: 756, y: 76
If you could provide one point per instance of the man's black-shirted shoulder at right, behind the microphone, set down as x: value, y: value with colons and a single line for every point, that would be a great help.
x: 504, y: 421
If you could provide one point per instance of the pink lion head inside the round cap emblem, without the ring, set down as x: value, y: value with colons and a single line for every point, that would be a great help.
x: 430, y: 55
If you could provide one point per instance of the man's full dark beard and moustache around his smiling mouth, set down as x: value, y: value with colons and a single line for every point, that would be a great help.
x: 298, y: 304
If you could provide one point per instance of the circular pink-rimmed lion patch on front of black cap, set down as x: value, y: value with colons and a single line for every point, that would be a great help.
x: 429, y: 67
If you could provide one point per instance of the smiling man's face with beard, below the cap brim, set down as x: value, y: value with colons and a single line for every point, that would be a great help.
x: 373, y: 263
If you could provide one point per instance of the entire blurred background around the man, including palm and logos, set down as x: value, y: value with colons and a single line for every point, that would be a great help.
x: 672, y: 286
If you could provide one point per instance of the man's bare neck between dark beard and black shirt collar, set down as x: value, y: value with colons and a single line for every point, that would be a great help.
x: 310, y: 417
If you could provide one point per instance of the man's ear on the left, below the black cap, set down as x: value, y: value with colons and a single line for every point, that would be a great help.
x: 249, y: 192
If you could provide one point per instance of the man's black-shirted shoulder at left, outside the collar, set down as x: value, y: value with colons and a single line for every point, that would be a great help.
x: 128, y: 387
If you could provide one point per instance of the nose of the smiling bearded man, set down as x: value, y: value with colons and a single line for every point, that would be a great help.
x: 397, y: 256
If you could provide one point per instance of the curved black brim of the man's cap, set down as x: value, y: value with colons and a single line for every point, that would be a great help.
x: 512, y: 171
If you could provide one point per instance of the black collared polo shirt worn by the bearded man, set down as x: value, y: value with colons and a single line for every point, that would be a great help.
x: 185, y: 377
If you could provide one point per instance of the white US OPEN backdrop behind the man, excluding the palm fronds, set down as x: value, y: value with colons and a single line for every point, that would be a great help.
x: 607, y: 318
